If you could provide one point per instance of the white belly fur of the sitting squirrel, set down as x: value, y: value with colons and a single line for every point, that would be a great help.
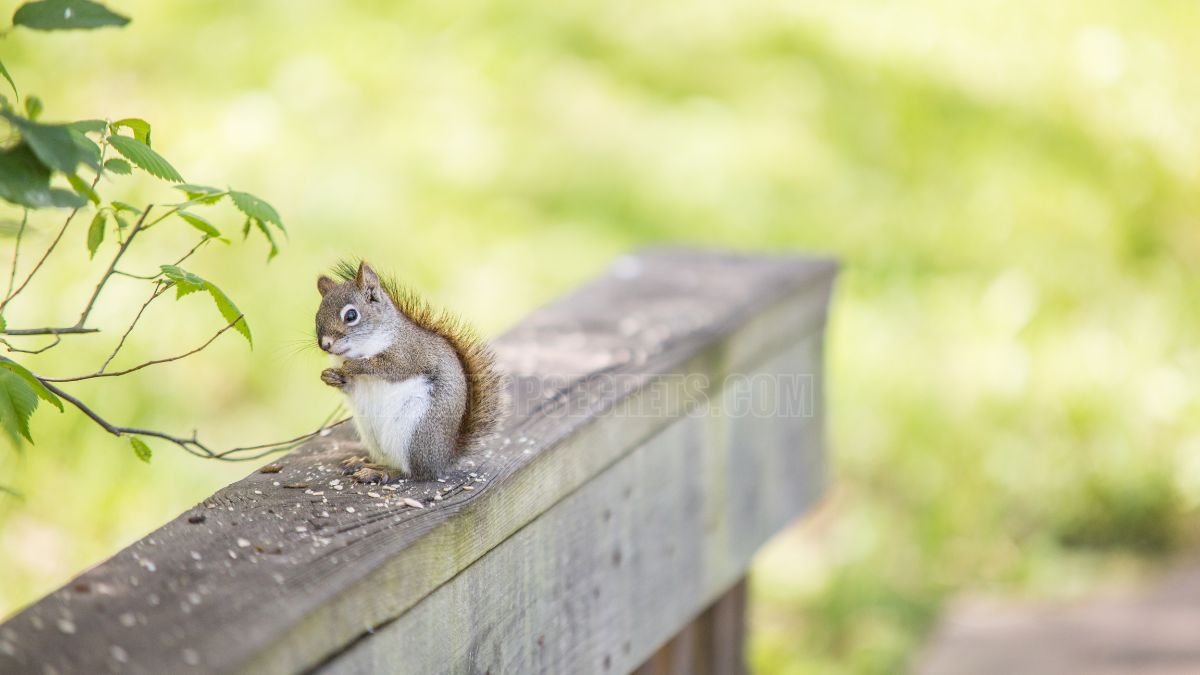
x: 387, y: 414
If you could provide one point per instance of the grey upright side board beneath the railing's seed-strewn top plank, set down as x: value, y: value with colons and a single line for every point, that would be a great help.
x: 610, y: 574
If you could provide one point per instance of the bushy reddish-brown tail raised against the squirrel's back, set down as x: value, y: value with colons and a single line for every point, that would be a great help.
x: 485, y: 386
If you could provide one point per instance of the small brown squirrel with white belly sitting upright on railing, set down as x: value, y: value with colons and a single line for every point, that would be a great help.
x: 423, y: 387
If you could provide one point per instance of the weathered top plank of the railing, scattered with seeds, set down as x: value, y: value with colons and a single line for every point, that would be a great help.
x: 215, y: 588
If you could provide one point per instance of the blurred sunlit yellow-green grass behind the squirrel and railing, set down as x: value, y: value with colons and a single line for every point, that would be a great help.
x: 1012, y: 188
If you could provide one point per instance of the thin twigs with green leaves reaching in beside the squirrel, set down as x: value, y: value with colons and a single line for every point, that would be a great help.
x: 46, y: 168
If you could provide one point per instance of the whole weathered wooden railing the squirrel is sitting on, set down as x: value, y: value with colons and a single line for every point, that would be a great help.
x: 667, y: 420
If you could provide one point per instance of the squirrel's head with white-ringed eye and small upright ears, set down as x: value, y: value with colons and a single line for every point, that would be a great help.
x: 357, y: 318
